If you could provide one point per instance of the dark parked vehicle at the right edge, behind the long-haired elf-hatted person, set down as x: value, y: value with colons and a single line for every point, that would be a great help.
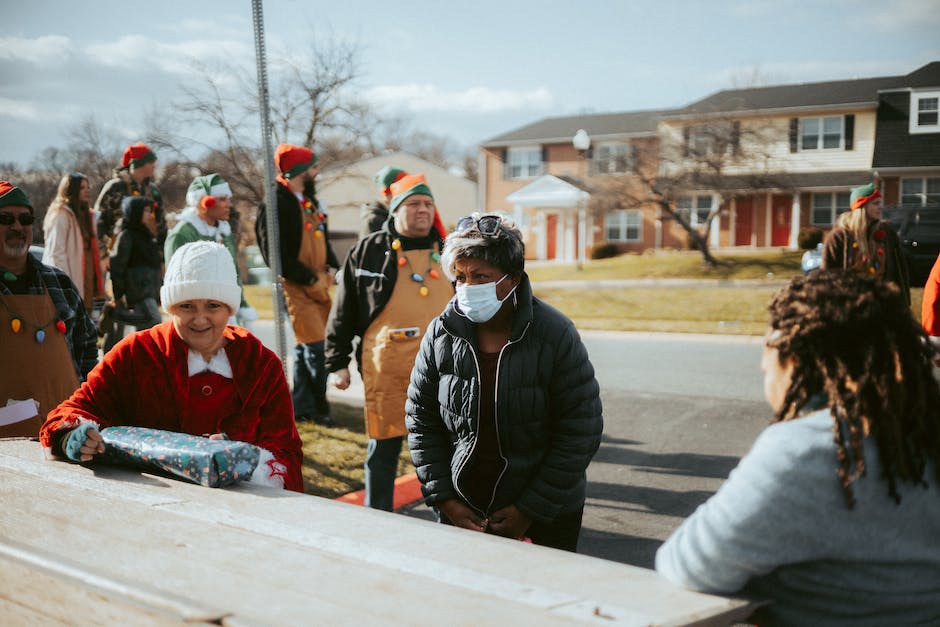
x: 919, y: 229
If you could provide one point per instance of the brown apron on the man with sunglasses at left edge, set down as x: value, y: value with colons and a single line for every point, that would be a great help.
x: 43, y: 371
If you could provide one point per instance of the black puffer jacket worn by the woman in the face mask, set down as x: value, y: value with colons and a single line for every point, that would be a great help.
x: 548, y: 412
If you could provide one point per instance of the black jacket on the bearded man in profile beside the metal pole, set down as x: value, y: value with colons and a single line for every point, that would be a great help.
x: 290, y: 230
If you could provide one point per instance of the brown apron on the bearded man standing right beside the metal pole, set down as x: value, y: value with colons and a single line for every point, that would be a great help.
x: 309, y: 305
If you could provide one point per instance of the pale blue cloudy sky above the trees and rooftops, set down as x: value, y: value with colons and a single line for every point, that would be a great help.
x: 467, y: 70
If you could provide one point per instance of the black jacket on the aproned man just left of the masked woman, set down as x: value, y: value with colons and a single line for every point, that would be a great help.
x: 365, y: 286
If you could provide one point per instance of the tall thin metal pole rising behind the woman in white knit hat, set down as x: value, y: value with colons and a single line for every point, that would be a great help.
x: 270, y: 191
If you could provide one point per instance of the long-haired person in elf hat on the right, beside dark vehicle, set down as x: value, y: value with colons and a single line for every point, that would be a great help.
x: 862, y: 242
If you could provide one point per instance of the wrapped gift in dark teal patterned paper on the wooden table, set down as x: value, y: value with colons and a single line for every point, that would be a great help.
x: 211, y: 463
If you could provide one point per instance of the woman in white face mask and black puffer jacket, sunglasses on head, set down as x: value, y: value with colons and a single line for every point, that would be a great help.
x: 503, y: 410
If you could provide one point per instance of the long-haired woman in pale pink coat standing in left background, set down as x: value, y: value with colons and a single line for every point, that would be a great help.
x: 71, y: 242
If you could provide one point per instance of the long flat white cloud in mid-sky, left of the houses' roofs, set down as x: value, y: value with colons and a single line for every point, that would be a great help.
x: 419, y: 98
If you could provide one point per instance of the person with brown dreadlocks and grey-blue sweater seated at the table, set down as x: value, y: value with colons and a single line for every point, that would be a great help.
x: 834, y: 514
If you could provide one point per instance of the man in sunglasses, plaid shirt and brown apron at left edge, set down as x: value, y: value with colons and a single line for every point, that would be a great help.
x: 47, y: 342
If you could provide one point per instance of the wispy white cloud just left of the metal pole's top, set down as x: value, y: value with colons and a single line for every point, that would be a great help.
x: 139, y: 51
